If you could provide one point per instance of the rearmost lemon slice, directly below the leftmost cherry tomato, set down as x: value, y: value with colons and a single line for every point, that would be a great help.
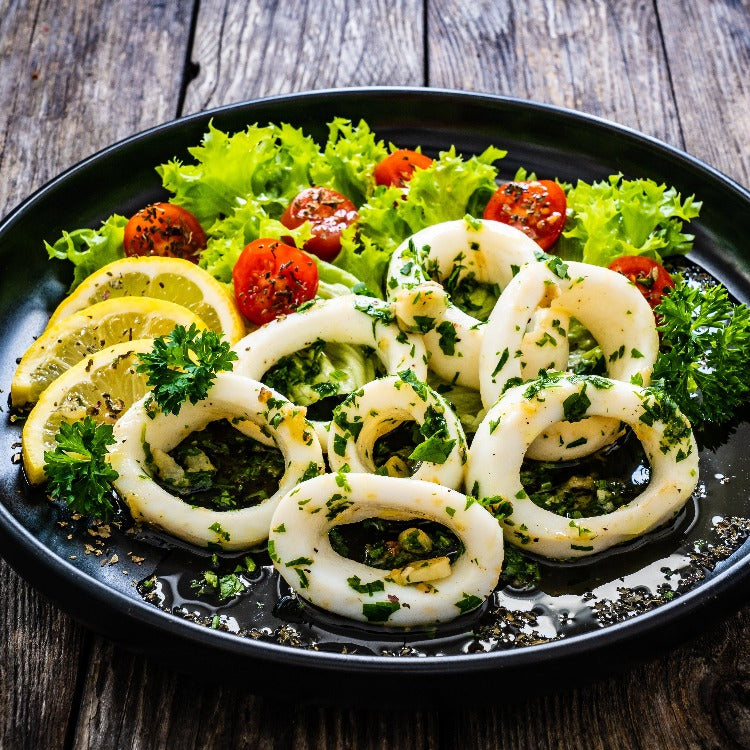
x: 171, y: 279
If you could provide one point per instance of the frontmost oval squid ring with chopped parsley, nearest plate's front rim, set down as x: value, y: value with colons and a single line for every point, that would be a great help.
x: 302, y: 553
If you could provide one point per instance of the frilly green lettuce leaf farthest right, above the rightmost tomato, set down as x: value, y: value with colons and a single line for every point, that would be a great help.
x: 625, y: 217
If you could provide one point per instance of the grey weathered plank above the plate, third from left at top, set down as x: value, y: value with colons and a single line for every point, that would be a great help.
x: 600, y: 57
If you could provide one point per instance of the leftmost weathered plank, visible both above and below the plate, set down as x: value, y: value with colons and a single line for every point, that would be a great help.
x: 72, y: 77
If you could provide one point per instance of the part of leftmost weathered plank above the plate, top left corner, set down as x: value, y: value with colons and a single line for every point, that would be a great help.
x: 76, y: 77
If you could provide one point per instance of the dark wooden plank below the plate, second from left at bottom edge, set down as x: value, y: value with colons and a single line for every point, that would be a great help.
x: 132, y: 703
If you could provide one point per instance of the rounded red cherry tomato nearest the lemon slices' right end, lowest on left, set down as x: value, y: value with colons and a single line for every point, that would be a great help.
x: 272, y: 279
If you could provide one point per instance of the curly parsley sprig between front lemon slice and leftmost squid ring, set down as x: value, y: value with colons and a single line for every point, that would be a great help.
x: 183, y: 365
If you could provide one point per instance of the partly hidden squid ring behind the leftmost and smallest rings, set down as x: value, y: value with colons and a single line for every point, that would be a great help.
x: 350, y: 319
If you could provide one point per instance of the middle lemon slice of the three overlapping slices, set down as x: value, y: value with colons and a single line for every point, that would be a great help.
x: 77, y: 336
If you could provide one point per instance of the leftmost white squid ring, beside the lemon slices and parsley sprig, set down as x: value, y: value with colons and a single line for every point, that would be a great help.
x: 249, y: 406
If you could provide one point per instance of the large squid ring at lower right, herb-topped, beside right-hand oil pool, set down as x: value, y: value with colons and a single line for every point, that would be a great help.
x: 526, y: 410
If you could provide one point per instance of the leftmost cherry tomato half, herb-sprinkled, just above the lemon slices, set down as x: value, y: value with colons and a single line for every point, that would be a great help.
x: 164, y: 229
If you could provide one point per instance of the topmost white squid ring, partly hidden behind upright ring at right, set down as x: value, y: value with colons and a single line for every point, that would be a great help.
x: 488, y: 251
